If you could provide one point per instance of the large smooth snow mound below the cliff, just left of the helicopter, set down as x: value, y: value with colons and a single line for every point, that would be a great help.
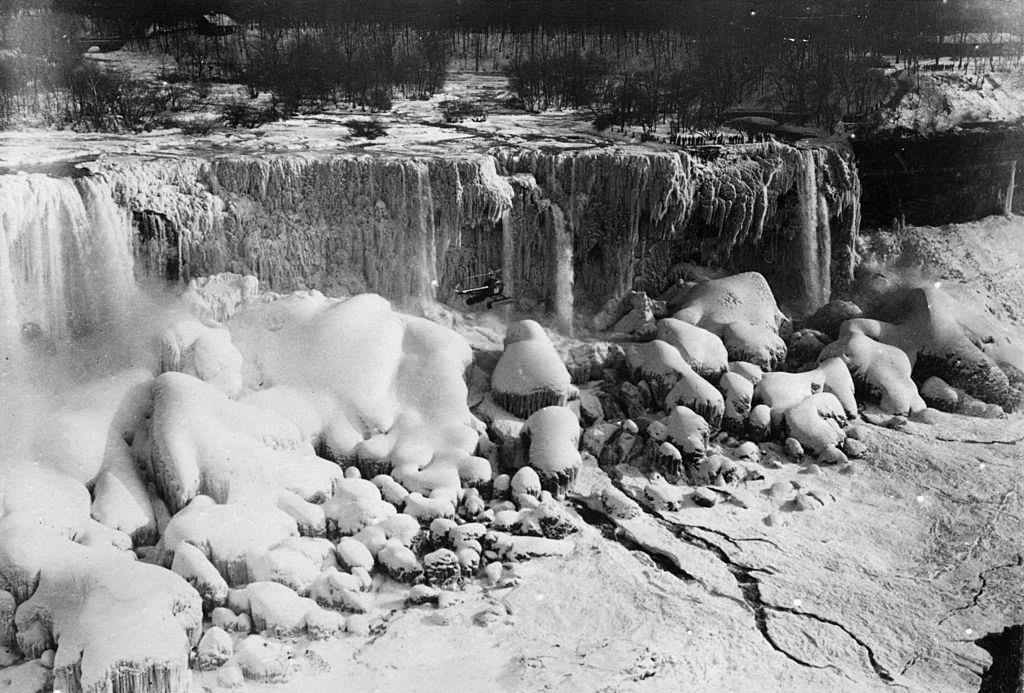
x: 389, y: 387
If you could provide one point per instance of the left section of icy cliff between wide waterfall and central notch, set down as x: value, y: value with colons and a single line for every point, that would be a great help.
x: 350, y: 224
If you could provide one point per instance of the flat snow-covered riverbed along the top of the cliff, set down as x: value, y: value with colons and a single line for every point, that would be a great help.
x: 414, y: 127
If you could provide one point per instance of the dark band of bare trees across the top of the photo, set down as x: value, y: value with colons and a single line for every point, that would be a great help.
x: 629, y: 62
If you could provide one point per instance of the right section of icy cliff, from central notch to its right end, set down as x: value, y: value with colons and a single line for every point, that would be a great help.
x: 791, y: 213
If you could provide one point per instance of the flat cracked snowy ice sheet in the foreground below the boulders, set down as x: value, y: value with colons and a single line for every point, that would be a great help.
x: 886, y: 588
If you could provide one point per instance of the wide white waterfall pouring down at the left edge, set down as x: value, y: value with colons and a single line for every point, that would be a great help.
x: 66, y: 262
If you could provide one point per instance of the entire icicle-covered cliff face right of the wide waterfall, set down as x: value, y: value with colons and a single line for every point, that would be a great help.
x: 570, y: 230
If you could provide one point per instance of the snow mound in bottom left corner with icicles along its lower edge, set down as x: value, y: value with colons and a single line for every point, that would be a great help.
x: 116, y: 623
